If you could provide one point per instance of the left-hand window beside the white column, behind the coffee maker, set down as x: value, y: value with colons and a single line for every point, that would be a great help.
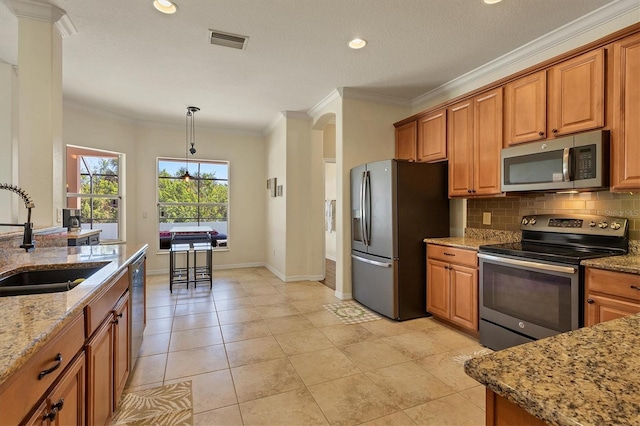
x: 94, y: 187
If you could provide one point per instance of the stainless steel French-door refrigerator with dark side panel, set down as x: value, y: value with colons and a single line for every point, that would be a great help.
x: 395, y: 205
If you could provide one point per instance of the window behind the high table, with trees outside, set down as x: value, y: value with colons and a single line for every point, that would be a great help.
x: 202, y: 200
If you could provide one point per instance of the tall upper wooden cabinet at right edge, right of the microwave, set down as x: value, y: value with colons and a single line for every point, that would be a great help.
x: 625, y: 129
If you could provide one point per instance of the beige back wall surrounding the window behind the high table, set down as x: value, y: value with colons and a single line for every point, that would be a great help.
x: 143, y: 143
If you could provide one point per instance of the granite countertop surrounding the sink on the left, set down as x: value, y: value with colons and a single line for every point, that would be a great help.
x: 28, y: 322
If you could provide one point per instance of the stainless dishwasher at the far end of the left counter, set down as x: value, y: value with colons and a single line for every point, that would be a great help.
x: 137, y: 321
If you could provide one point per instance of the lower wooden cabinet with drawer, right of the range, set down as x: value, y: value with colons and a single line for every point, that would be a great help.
x: 610, y: 295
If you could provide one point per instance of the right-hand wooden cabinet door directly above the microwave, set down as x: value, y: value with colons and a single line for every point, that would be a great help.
x: 576, y: 94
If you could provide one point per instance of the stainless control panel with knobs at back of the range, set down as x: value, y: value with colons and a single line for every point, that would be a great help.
x: 576, y: 224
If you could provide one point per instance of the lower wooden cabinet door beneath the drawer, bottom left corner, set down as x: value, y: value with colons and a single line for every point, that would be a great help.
x: 65, y: 403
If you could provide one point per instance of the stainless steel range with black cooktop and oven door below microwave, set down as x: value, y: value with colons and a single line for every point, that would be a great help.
x: 535, y: 288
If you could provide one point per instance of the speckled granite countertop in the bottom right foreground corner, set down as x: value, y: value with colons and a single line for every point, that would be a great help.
x: 588, y: 376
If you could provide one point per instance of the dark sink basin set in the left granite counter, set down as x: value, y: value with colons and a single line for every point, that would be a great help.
x: 39, y: 281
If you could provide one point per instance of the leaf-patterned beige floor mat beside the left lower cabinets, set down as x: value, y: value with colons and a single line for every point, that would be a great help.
x: 164, y: 405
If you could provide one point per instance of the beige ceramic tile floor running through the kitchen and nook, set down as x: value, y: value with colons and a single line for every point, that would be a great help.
x: 262, y: 352
